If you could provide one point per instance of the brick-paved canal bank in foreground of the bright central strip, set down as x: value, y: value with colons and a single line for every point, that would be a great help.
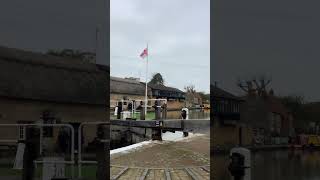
x: 177, y: 156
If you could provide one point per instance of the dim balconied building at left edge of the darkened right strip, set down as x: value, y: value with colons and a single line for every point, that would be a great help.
x: 228, y: 131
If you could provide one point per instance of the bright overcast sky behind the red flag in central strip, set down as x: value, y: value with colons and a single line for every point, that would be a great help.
x: 178, y: 34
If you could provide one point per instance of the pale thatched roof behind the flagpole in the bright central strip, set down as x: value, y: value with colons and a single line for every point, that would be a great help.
x: 127, y: 86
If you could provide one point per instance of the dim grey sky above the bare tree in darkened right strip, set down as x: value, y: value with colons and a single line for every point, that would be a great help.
x: 278, y: 38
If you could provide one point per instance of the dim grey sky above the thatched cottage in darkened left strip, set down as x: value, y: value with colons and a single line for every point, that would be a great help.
x: 39, y: 25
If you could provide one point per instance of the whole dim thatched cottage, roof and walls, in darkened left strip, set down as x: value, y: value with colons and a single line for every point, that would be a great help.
x: 35, y: 87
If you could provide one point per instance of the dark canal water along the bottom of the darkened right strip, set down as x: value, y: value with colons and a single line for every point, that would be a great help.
x: 275, y: 165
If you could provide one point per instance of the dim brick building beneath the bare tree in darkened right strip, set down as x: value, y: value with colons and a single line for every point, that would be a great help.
x: 267, y: 116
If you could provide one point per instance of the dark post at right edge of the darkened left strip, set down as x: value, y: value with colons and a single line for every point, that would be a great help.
x: 102, y: 152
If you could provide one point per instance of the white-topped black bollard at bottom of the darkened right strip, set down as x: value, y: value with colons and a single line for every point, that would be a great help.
x: 240, y: 164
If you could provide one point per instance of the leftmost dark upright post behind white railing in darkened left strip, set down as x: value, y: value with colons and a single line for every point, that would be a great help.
x: 31, y: 152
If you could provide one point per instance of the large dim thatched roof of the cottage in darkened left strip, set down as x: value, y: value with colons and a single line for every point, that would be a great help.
x: 35, y: 76
